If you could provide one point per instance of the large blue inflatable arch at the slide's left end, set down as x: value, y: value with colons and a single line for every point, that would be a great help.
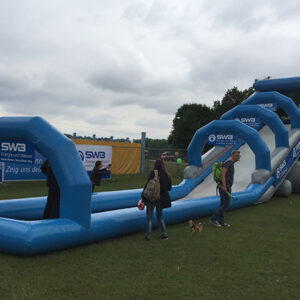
x: 74, y: 183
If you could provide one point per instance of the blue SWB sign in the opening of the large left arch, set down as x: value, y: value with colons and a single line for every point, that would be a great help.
x: 17, y: 152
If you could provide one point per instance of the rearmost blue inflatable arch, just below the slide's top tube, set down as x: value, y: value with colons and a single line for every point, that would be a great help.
x: 282, y: 101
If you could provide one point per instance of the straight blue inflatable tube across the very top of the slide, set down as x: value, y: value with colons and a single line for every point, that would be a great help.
x: 284, y: 85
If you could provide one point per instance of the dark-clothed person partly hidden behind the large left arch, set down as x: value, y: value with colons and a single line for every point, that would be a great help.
x: 52, y: 207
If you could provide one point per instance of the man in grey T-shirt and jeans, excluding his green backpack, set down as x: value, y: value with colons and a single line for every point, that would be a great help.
x: 217, y: 218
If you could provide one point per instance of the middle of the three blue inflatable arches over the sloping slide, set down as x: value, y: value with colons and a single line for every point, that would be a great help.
x: 267, y: 116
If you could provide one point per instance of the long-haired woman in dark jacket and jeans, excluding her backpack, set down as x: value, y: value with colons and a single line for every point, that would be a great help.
x: 163, y: 202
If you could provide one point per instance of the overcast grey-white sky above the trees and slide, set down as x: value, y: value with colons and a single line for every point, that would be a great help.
x: 120, y: 67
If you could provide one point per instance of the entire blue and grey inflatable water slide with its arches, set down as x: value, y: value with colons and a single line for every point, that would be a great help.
x: 269, y: 165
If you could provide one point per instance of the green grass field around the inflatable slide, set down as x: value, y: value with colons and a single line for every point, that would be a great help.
x: 257, y: 258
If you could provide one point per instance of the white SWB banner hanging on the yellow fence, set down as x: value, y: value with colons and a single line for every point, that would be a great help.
x: 91, y: 153
